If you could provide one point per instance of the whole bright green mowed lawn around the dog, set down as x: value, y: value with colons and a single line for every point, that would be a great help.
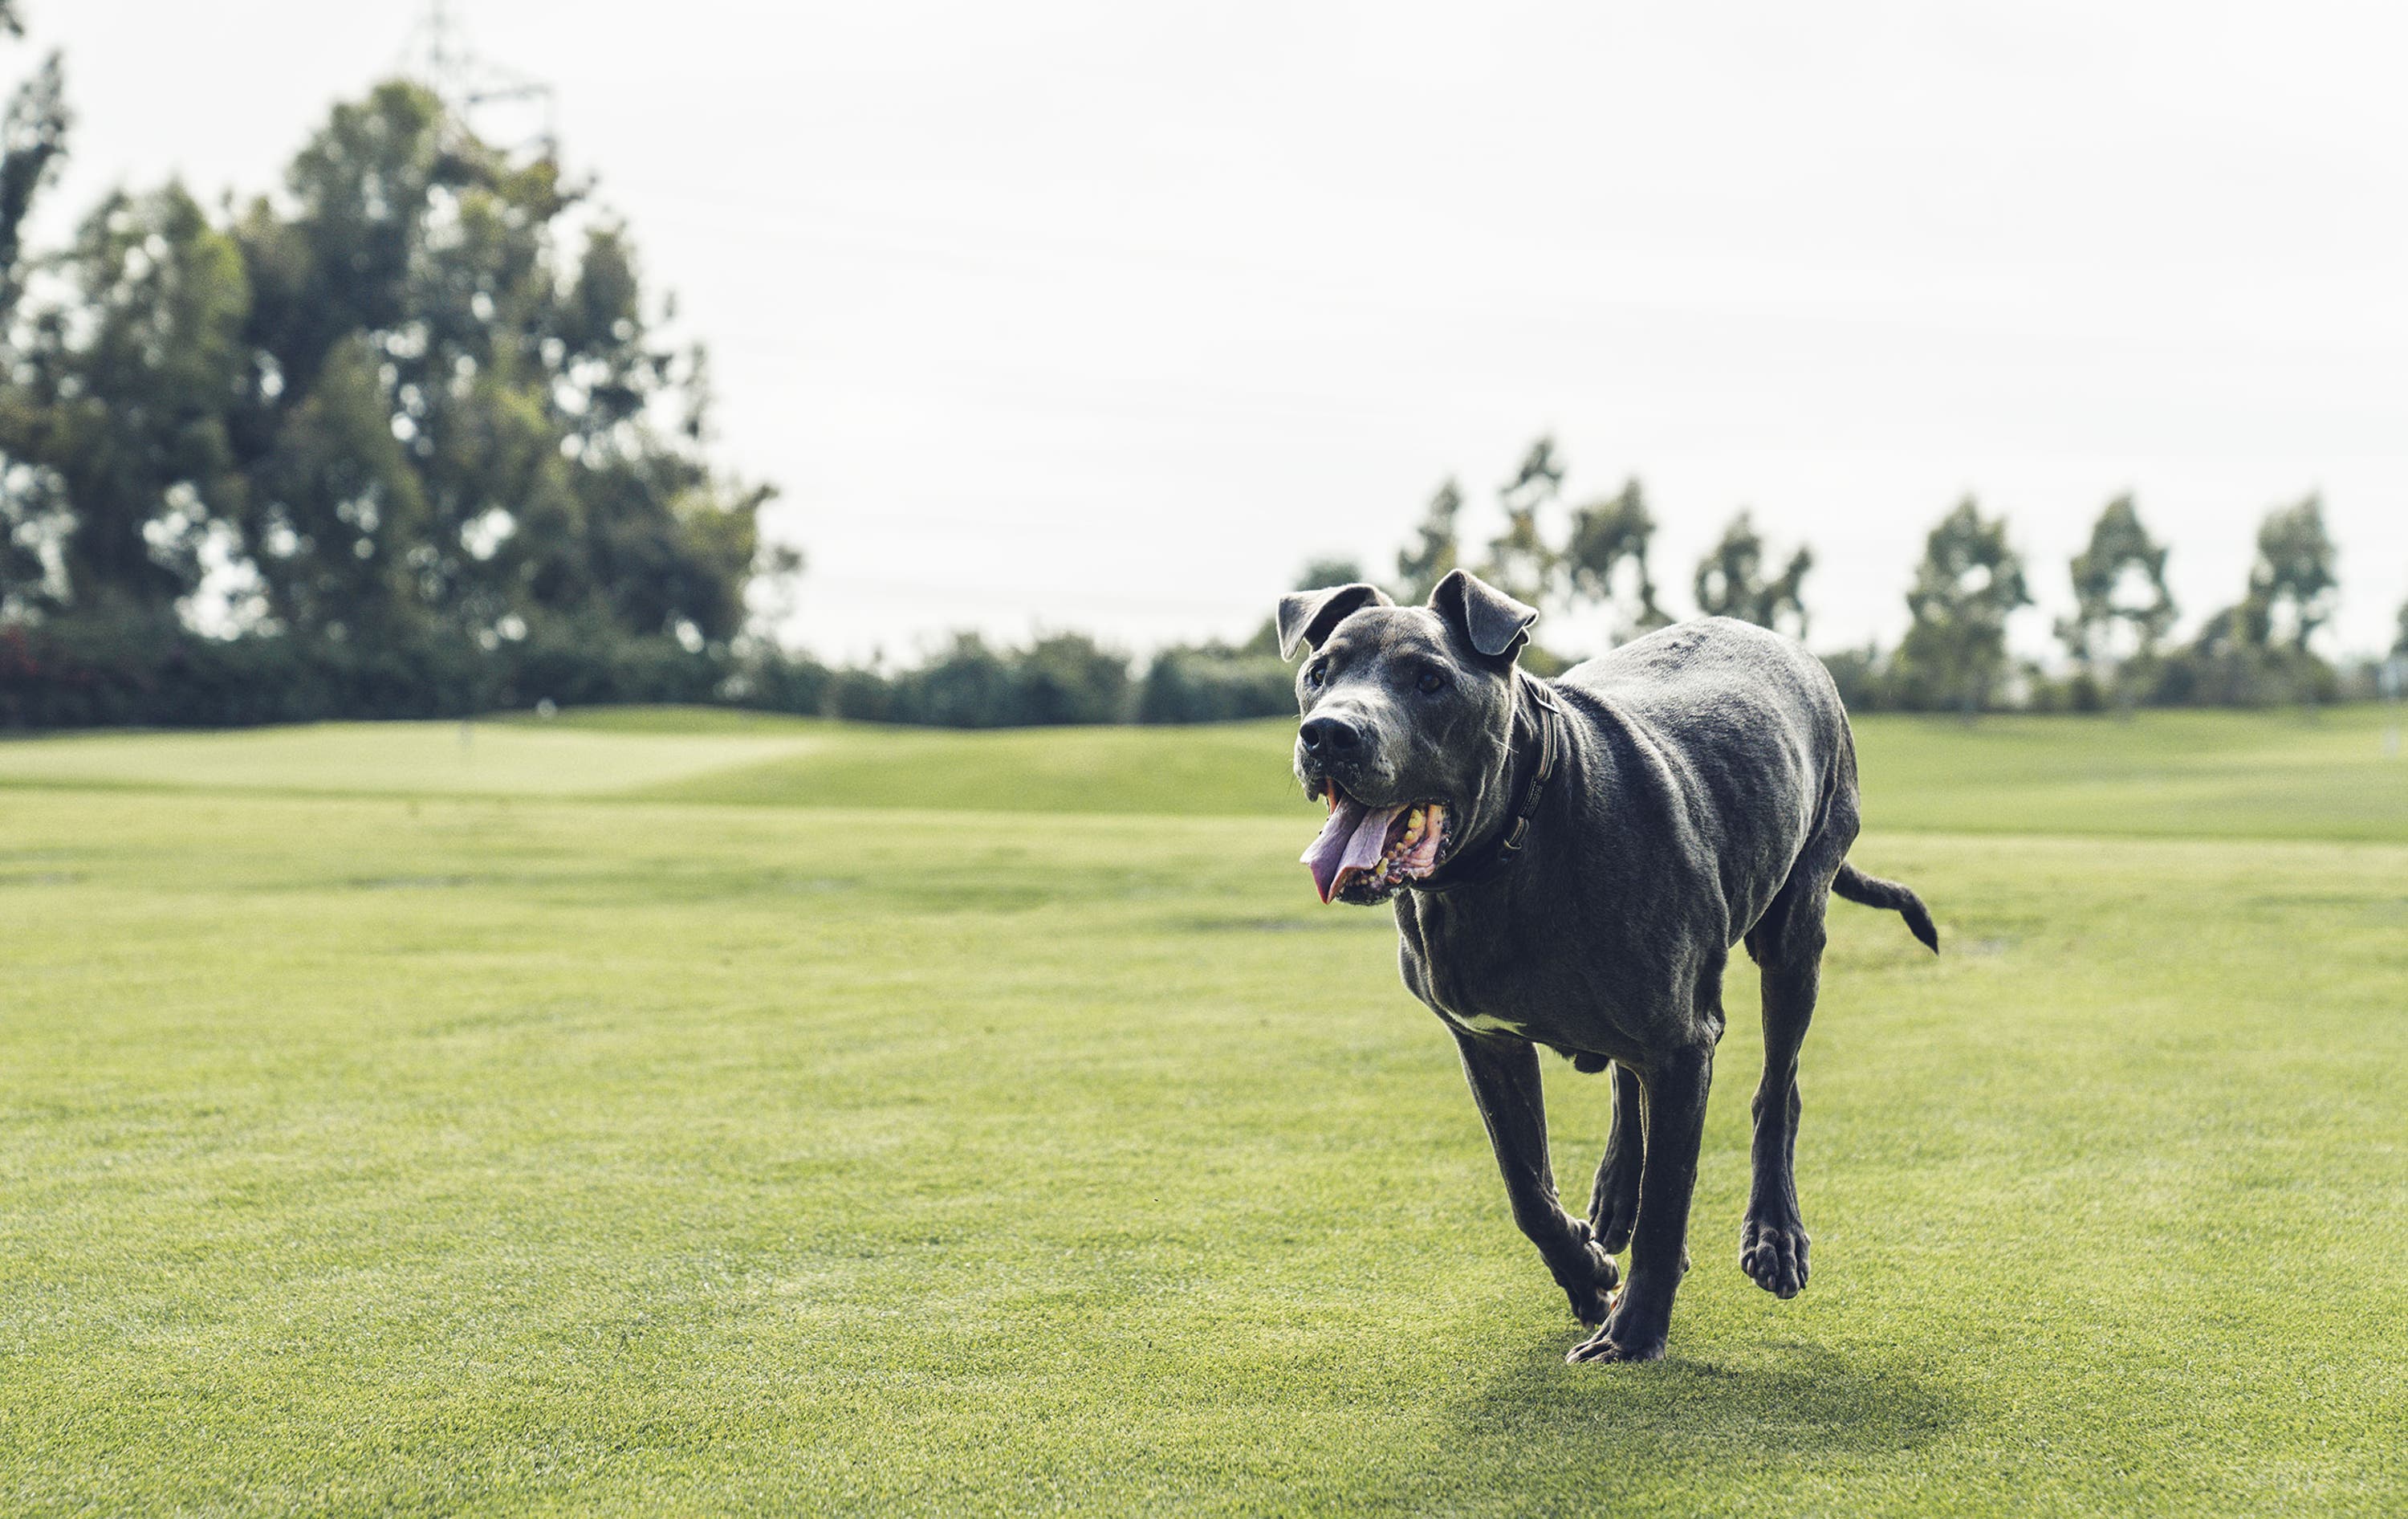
x: 654, y: 1113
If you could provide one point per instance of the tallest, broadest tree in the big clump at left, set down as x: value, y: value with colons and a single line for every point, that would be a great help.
x: 555, y: 447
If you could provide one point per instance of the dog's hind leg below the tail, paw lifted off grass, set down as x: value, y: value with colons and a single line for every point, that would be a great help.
x: 1788, y: 947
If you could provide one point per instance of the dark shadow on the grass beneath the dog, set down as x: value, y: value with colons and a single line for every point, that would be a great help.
x: 1778, y: 1405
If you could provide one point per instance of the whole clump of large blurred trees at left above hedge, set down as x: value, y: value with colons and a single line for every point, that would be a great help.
x: 418, y: 391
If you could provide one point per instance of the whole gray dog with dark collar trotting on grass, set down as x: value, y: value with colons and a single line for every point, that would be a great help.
x: 1571, y: 868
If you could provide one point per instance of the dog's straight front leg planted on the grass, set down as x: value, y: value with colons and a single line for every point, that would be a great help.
x: 1668, y: 1178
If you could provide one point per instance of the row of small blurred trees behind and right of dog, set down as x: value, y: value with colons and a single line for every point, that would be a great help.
x: 1964, y: 591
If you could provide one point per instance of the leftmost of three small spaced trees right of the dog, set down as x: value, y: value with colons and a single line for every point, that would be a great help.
x: 1966, y: 586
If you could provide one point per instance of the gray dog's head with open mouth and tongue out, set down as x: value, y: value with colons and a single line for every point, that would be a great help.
x: 1407, y: 721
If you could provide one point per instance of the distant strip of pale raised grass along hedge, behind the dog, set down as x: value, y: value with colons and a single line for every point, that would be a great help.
x: 2166, y: 774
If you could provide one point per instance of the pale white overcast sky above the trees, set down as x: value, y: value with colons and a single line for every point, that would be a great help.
x: 1109, y: 317
